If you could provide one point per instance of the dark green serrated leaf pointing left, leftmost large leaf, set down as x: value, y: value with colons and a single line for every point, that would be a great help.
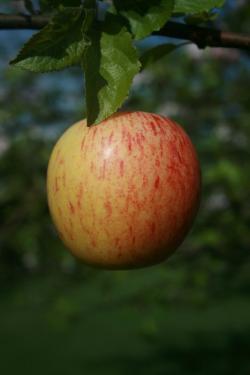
x: 58, y: 45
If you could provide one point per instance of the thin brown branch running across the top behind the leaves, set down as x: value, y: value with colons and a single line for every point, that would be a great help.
x: 202, y: 36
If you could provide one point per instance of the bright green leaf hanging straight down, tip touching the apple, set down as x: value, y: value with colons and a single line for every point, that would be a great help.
x: 110, y: 63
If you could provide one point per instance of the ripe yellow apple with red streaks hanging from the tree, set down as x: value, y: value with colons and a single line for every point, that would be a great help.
x: 123, y: 194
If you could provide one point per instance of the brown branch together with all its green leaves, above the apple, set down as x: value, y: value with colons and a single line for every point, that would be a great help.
x: 105, y: 39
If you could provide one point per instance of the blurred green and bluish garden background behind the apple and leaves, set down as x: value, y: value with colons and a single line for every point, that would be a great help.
x: 189, y: 315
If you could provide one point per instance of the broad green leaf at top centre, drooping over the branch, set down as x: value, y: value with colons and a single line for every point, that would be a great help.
x: 145, y: 16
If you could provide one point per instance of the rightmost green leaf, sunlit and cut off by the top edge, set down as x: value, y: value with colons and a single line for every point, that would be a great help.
x: 194, y: 6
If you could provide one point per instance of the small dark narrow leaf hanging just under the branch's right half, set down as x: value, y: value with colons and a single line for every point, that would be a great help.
x: 156, y: 53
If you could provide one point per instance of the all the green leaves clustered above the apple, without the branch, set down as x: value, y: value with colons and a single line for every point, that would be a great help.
x: 78, y: 33
